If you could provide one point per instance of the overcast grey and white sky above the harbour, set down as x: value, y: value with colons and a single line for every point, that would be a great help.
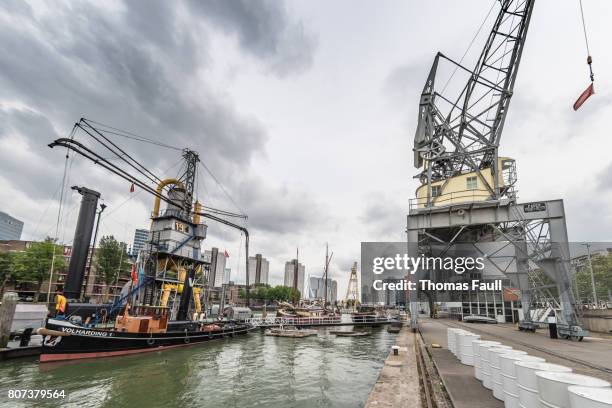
x: 304, y: 110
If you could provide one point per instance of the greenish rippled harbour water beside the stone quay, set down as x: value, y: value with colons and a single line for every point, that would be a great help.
x: 254, y: 370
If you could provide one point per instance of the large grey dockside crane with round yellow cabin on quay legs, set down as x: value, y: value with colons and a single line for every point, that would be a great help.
x: 467, y: 192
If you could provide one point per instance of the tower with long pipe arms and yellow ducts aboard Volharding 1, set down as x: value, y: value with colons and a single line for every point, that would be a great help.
x: 173, y: 266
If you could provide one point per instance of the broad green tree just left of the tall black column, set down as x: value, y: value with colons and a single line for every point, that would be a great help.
x: 34, y: 264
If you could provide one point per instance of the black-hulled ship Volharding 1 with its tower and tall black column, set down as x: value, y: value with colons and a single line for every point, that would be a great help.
x: 161, y: 306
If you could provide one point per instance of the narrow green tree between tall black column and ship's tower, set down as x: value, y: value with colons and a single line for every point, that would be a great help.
x: 111, y: 261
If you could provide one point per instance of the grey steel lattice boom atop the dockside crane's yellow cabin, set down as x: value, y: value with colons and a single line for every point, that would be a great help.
x: 461, y: 133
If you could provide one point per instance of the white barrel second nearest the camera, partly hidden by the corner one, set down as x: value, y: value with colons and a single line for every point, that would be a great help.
x: 552, y: 387
